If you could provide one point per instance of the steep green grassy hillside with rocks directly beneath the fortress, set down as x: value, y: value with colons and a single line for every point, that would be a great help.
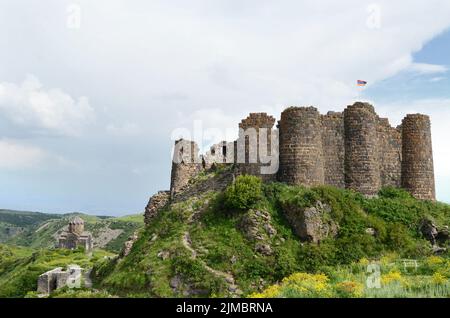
x: 215, y: 244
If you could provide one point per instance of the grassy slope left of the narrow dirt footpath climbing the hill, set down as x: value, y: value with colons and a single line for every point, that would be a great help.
x: 144, y: 273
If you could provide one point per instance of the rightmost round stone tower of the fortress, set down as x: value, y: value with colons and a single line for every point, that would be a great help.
x: 417, y: 157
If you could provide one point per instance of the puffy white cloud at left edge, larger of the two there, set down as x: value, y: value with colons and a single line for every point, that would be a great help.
x: 33, y: 108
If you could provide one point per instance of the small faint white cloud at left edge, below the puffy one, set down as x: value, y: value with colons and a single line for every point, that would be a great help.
x: 14, y: 155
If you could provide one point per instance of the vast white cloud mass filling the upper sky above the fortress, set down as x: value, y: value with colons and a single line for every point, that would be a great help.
x: 232, y: 55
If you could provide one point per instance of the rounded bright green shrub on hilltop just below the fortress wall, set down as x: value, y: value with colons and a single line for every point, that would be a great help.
x: 244, y: 193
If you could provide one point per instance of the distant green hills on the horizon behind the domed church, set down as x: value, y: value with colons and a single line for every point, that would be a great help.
x: 40, y: 230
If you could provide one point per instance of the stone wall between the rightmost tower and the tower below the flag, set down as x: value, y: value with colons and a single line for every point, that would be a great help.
x: 390, y: 153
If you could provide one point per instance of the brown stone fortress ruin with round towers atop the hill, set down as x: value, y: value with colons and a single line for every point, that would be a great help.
x: 354, y: 149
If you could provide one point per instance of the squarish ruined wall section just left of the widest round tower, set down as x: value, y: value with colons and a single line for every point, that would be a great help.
x: 250, y: 146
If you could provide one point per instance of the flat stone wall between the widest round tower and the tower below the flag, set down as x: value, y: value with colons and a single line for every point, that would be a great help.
x: 333, y: 143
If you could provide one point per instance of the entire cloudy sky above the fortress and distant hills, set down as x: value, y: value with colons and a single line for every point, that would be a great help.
x: 91, y: 92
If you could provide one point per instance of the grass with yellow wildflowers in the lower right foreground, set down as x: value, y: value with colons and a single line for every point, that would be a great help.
x: 428, y: 280
